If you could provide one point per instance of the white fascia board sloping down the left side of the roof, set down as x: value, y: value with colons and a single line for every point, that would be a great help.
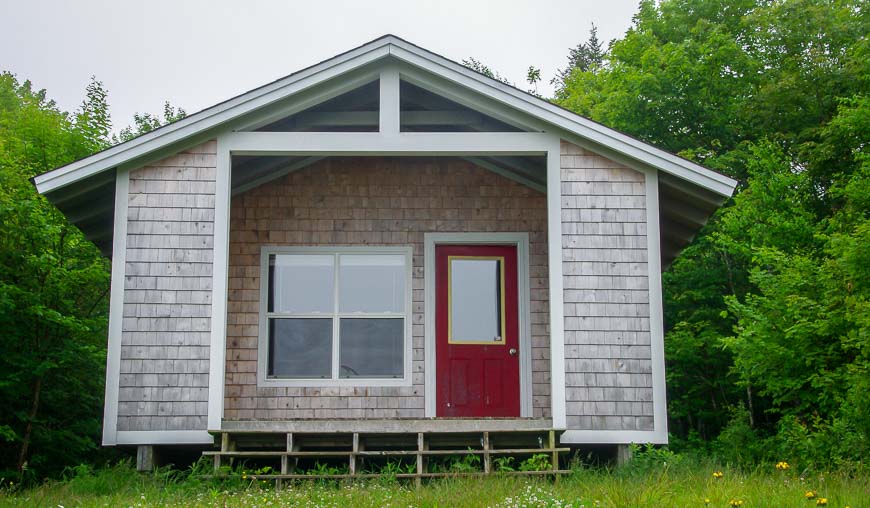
x: 210, y: 118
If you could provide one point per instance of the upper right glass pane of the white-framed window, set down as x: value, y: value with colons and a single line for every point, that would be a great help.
x: 371, y: 283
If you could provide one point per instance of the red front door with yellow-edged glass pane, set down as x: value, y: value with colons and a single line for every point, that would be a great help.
x: 476, y: 331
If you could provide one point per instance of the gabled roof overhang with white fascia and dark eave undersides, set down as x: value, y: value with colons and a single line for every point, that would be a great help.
x: 83, y: 190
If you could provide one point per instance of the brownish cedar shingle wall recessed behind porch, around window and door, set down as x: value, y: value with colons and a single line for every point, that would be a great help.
x: 375, y: 201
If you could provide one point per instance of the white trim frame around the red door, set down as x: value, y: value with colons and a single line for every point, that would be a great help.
x: 521, y: 241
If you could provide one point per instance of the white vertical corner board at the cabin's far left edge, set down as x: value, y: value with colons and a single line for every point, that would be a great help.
x: 116, y: 308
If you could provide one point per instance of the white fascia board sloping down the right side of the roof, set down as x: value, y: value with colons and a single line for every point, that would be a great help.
x: 564, y: 119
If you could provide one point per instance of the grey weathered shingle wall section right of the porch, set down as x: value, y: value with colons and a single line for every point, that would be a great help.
x: 606, y: 294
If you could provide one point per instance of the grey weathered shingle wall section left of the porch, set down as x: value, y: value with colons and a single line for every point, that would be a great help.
x: 167, y: 297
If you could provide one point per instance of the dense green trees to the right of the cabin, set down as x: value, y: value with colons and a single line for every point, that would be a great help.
x: 767, y: 311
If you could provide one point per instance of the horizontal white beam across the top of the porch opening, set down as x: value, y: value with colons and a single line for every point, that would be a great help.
x: 376, y: 143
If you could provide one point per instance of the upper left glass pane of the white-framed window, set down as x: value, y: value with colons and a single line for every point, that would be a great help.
x: 301, y: 283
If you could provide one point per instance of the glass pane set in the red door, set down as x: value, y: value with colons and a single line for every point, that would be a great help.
x: 475, y: 300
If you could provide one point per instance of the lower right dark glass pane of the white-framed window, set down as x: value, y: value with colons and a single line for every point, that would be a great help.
x: 371, y: 347
